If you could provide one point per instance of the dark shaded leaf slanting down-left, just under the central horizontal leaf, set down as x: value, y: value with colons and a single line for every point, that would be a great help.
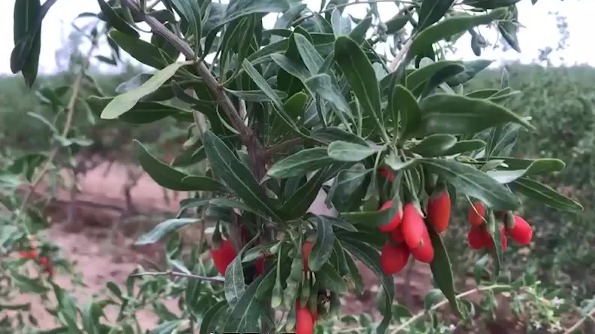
x: 301, y: 200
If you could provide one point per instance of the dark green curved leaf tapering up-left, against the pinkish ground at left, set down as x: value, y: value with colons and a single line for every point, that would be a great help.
x: 161, y: 173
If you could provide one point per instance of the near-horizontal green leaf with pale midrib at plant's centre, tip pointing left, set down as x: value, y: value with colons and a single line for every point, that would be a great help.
x: 300, y: 163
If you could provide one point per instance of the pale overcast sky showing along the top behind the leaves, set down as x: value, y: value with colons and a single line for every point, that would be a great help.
x: 540, y: 31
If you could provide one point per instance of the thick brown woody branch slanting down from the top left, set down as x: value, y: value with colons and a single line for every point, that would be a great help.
x: 222, y: 99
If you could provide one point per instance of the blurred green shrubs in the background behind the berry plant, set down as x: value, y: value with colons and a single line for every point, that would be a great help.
x: 558, y: 100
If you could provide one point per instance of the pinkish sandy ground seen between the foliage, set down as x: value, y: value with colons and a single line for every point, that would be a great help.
x: 102, y: 257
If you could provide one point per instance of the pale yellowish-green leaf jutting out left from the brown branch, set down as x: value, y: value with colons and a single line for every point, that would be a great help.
x: 123, y: 103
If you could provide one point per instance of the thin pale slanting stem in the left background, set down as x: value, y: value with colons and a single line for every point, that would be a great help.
x: 76, y: 87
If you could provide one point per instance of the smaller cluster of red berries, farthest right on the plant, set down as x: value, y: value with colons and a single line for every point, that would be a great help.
x: 514, y: 227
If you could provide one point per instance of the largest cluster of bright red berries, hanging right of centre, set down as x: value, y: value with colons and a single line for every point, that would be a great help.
x: 408, y: 232
